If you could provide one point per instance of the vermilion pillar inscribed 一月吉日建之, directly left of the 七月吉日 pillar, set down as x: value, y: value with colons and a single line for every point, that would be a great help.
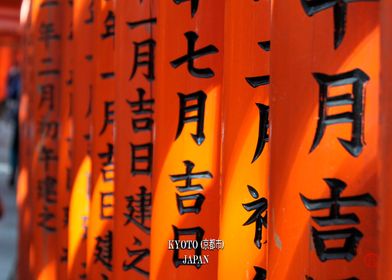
x: 135, y: 105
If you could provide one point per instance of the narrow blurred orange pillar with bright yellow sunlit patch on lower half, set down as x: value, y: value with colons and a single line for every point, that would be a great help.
x: 83, y: 55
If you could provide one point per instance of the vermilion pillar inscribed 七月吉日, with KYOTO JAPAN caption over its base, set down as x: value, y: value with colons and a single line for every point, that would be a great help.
x: 188, y: 84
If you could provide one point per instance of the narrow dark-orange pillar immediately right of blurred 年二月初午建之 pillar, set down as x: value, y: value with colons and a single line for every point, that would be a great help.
x: 64, y: 182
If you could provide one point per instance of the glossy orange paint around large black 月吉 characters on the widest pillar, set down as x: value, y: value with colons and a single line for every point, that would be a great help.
x: 304, y: 45
